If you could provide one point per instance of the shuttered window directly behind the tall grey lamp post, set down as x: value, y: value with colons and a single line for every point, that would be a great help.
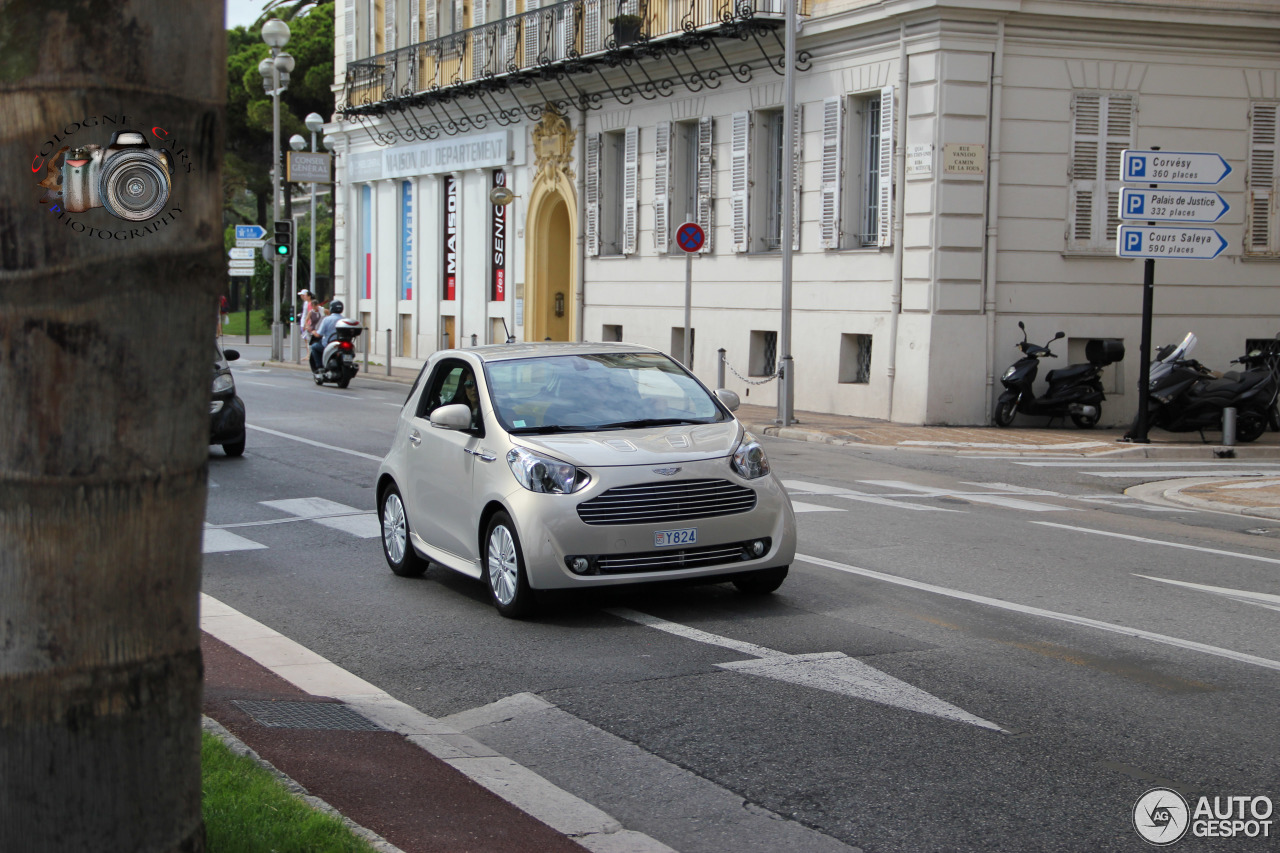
x: 756, y: 180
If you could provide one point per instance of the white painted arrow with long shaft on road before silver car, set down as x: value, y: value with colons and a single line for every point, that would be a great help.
x: 830, y: 672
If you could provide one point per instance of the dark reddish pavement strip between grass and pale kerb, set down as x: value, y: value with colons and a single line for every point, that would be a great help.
x: 378, y: 779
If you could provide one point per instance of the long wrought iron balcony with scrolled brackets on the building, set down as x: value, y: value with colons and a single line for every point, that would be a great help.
x: 579, y: 54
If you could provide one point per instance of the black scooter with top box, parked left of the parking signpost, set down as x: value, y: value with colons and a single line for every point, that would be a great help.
x: 1075, y: 391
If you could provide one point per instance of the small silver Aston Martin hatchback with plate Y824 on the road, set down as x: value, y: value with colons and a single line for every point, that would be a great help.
x: 569, y: 466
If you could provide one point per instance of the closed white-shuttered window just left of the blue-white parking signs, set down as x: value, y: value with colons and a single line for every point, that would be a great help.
x: 1103, y: 127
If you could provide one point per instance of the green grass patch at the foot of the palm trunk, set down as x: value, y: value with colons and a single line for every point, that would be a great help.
x: 249, y: 811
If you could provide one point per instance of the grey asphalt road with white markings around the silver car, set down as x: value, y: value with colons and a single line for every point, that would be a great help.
x: 971, y: 655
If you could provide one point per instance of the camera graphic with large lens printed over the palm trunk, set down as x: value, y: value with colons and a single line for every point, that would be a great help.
x: 129, y: 177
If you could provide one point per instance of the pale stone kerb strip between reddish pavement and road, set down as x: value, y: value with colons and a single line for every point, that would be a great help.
x: 586, y: 824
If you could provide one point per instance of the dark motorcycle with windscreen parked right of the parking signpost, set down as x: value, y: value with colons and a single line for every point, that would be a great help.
x: 1185, y: 396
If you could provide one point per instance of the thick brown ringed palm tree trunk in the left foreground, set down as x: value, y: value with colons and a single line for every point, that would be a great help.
x: 106, y: 346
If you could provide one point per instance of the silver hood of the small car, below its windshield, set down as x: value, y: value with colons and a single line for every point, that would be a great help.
x: 652, y: 446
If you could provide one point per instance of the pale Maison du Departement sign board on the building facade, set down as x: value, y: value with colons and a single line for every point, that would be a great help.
x: 455, y: 154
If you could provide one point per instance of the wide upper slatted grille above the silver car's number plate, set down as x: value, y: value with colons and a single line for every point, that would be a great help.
x: 664, y: 503
